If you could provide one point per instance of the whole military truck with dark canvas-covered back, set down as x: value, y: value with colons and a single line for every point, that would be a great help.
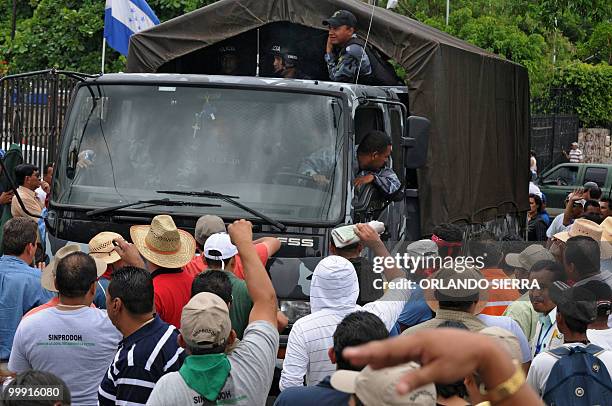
x: 174, y: 136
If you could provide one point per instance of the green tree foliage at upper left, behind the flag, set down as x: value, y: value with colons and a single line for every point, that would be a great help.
x: 67, y: 34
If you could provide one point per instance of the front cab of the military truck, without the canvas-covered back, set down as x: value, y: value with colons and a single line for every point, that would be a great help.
x: 138, y: 145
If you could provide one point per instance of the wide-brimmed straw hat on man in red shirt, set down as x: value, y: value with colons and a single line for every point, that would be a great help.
x: 163, y: 244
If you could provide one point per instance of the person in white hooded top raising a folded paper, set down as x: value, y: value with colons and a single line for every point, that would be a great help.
x: 333, y: 294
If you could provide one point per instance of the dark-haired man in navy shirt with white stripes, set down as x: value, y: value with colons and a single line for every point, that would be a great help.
x: 149, y: 348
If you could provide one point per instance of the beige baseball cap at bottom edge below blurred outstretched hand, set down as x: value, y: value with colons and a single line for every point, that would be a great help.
x: 378, y: 388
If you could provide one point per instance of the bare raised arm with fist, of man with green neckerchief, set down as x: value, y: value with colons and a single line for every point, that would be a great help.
x: 258, y: 283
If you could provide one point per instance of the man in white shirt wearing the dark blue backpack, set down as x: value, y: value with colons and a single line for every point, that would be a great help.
x: 576, y: 308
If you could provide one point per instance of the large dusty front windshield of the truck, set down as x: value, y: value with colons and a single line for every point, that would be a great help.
x: 124, y: 143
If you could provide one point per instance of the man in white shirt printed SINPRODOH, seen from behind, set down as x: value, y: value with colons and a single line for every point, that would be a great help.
x: 71, y: 340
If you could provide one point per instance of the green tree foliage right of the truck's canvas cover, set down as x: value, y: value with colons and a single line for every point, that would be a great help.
x: 562, y: 43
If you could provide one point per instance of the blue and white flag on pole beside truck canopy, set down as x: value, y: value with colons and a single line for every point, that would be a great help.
x: 122, y: 18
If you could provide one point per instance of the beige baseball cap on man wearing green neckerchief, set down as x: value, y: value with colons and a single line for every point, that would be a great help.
x: 205, y: 321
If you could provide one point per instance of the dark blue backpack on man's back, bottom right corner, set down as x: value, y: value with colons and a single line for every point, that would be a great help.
x: 578, y: 378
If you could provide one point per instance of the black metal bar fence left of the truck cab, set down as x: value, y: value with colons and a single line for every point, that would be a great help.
x: 32, y: 111
